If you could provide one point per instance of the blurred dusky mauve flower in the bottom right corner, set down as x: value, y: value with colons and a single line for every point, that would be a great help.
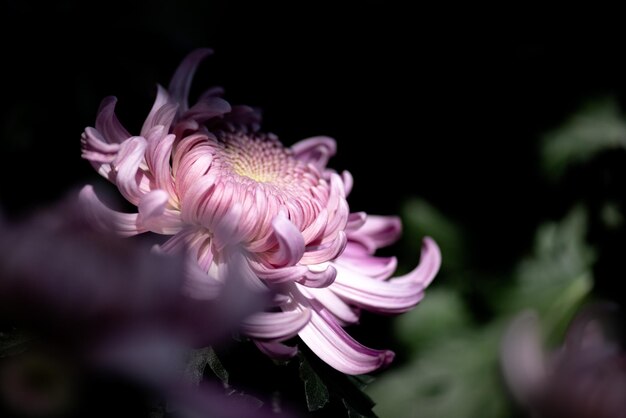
x: 584, y: 378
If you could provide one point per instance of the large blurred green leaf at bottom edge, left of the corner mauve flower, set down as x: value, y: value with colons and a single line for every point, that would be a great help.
x: 458, y: 377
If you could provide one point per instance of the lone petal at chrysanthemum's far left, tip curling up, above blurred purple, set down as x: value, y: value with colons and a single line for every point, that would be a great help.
x: 106, y: 219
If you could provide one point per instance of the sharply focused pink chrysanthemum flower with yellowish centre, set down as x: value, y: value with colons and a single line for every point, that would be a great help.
x: 207, y: 176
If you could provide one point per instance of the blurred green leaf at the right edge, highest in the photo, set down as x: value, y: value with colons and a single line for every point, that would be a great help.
x: 596, y: 127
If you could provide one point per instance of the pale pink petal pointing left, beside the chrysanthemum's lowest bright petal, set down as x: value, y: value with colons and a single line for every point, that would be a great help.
x: 275, y: 325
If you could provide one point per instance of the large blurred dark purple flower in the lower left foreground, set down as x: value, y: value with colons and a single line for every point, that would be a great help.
x: 88, y: 304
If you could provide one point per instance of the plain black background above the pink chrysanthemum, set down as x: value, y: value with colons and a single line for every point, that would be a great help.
x: 446, y: 104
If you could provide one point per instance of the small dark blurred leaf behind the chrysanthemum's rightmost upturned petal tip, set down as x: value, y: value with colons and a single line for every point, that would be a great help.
x: 422, y: 219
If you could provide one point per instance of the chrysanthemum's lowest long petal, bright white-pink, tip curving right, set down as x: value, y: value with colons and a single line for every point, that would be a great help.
x: 333, y: 345
